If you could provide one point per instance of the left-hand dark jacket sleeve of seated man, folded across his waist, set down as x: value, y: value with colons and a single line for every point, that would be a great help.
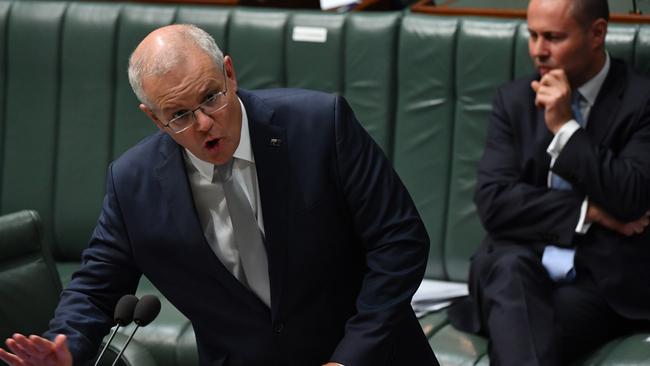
x: 511, y: 202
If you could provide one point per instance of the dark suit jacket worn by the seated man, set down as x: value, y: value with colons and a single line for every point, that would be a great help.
x: 609, y: 162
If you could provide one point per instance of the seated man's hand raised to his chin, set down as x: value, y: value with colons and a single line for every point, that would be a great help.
x: 553, y: 93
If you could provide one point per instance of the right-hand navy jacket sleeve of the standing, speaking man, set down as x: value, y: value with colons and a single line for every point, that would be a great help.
x: 394, y: 237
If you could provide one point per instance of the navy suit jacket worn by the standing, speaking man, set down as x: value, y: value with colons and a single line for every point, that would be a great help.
x: 346, y: 247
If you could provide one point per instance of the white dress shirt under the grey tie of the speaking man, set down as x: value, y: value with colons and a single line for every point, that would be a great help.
x: 210, y: 201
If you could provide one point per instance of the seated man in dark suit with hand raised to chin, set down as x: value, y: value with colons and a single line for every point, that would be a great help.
x: 563, y: 193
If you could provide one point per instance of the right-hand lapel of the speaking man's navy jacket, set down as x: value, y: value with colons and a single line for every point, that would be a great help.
x: 269, y: 145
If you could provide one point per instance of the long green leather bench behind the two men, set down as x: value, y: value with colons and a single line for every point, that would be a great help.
x: 421, y: 85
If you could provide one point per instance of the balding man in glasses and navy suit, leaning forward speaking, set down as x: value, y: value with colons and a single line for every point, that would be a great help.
x: 343, y: 248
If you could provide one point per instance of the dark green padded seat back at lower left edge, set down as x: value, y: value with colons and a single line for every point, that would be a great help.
x: 29, y: 285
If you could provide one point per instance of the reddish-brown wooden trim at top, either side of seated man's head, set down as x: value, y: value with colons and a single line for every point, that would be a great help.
x: 426, y: 6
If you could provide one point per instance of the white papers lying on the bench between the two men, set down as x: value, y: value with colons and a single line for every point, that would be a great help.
x: 433, y: 295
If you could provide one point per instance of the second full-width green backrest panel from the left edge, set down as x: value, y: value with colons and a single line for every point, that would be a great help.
x: 85, y: 122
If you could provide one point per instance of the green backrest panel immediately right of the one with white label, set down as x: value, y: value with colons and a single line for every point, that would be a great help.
x: 370, y: 60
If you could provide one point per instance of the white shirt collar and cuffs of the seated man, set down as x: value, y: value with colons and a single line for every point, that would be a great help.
x: 589, y: 92
